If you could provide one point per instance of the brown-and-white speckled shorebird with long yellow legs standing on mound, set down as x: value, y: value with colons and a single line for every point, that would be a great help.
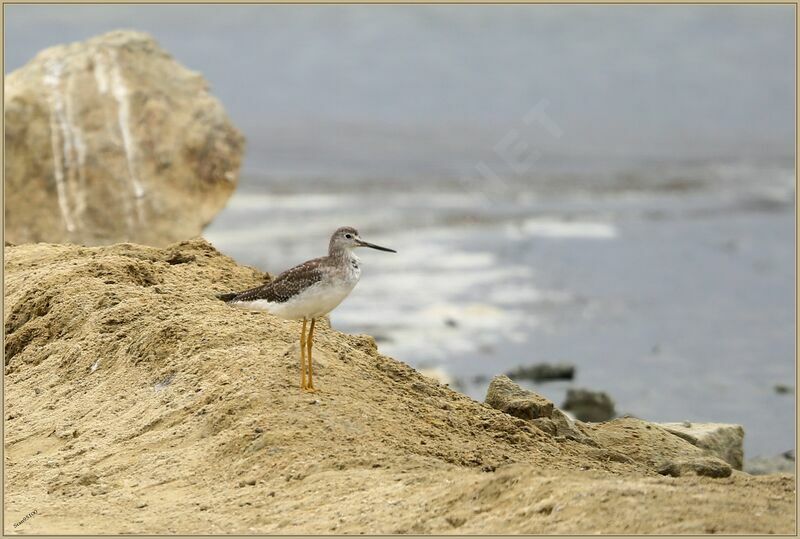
x: 309, y: 290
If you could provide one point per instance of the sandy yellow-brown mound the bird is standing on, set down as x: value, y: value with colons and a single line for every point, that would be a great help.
x: 133, y: 391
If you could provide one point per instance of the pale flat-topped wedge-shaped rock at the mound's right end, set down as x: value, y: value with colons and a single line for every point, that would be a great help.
x: 722, y: 440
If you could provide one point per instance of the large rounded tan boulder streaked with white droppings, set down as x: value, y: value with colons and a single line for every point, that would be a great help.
x: 112, y: 140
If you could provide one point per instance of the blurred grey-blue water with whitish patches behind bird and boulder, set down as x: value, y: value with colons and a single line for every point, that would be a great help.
x: 609, y: 186
